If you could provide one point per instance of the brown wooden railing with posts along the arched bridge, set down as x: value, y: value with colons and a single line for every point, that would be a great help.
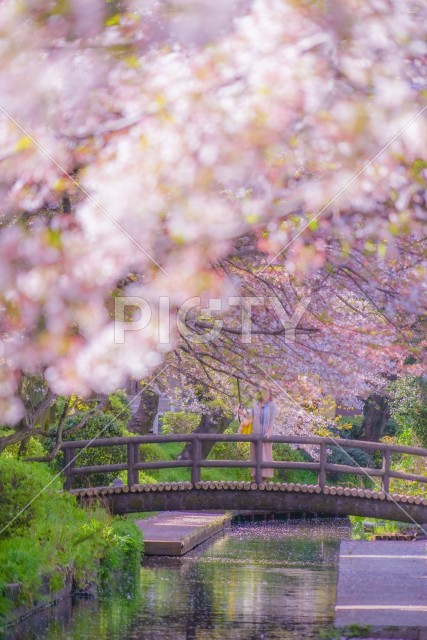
x: 196, y: 463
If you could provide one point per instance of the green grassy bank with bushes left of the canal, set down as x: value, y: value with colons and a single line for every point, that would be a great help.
x: 43, y: 539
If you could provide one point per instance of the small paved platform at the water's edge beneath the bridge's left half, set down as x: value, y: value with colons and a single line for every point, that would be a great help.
x: 174, y: 533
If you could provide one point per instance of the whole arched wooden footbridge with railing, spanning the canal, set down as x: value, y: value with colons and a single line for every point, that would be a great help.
x: 320, y: 498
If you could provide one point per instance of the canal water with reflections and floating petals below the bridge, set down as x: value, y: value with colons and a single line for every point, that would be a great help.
x: 274, y: 580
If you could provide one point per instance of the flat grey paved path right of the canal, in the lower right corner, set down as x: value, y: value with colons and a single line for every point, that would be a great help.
x: 382, y: 584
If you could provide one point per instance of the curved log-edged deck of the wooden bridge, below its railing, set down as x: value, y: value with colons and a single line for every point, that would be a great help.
x: 273, y: 498
